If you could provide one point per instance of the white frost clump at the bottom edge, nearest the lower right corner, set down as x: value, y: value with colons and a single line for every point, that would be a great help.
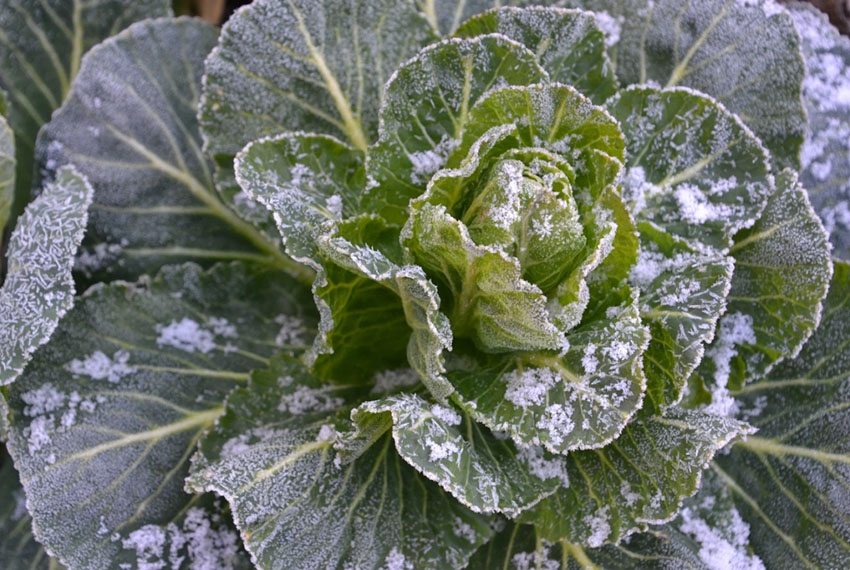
x: 723, y: 547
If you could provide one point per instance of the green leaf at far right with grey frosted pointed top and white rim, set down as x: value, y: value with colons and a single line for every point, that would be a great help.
x: 782, y: 272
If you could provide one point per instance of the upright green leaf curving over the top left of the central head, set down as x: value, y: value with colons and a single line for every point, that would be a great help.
x: 426, y: 109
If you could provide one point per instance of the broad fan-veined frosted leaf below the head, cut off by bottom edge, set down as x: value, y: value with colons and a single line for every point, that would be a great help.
x: 271, y: 456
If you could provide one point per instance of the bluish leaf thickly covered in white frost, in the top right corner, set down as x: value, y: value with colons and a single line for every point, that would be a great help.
x: 826, y: 162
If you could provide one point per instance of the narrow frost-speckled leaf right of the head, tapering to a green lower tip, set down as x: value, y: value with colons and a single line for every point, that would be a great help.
x: 683, y: 293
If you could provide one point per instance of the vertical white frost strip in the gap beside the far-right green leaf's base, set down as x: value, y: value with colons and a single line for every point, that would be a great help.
x: 734, y: 329
